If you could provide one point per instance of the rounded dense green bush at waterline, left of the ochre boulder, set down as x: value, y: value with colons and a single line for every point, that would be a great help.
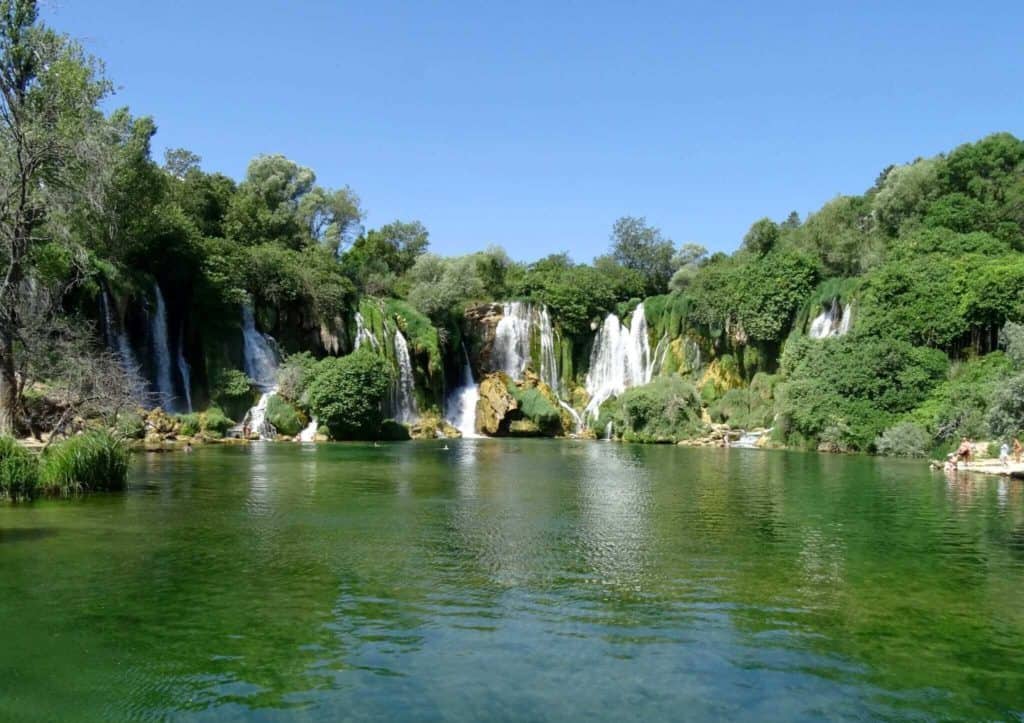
x: 347, y: 395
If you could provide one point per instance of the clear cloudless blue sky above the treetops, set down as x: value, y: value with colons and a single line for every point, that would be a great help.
x: 535, y: 125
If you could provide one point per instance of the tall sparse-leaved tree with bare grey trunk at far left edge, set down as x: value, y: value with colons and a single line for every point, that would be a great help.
x: 50, y: 154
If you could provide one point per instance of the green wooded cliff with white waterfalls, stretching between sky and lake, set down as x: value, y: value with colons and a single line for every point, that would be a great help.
x: 885, y: 322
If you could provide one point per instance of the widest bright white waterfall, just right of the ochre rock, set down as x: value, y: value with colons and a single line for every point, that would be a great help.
x: 620, y: 360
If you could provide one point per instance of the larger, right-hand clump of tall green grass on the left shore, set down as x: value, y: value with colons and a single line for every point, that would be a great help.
x: 91, y: 462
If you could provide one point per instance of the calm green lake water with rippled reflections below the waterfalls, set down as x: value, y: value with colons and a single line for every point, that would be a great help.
x: 516, y: 580
